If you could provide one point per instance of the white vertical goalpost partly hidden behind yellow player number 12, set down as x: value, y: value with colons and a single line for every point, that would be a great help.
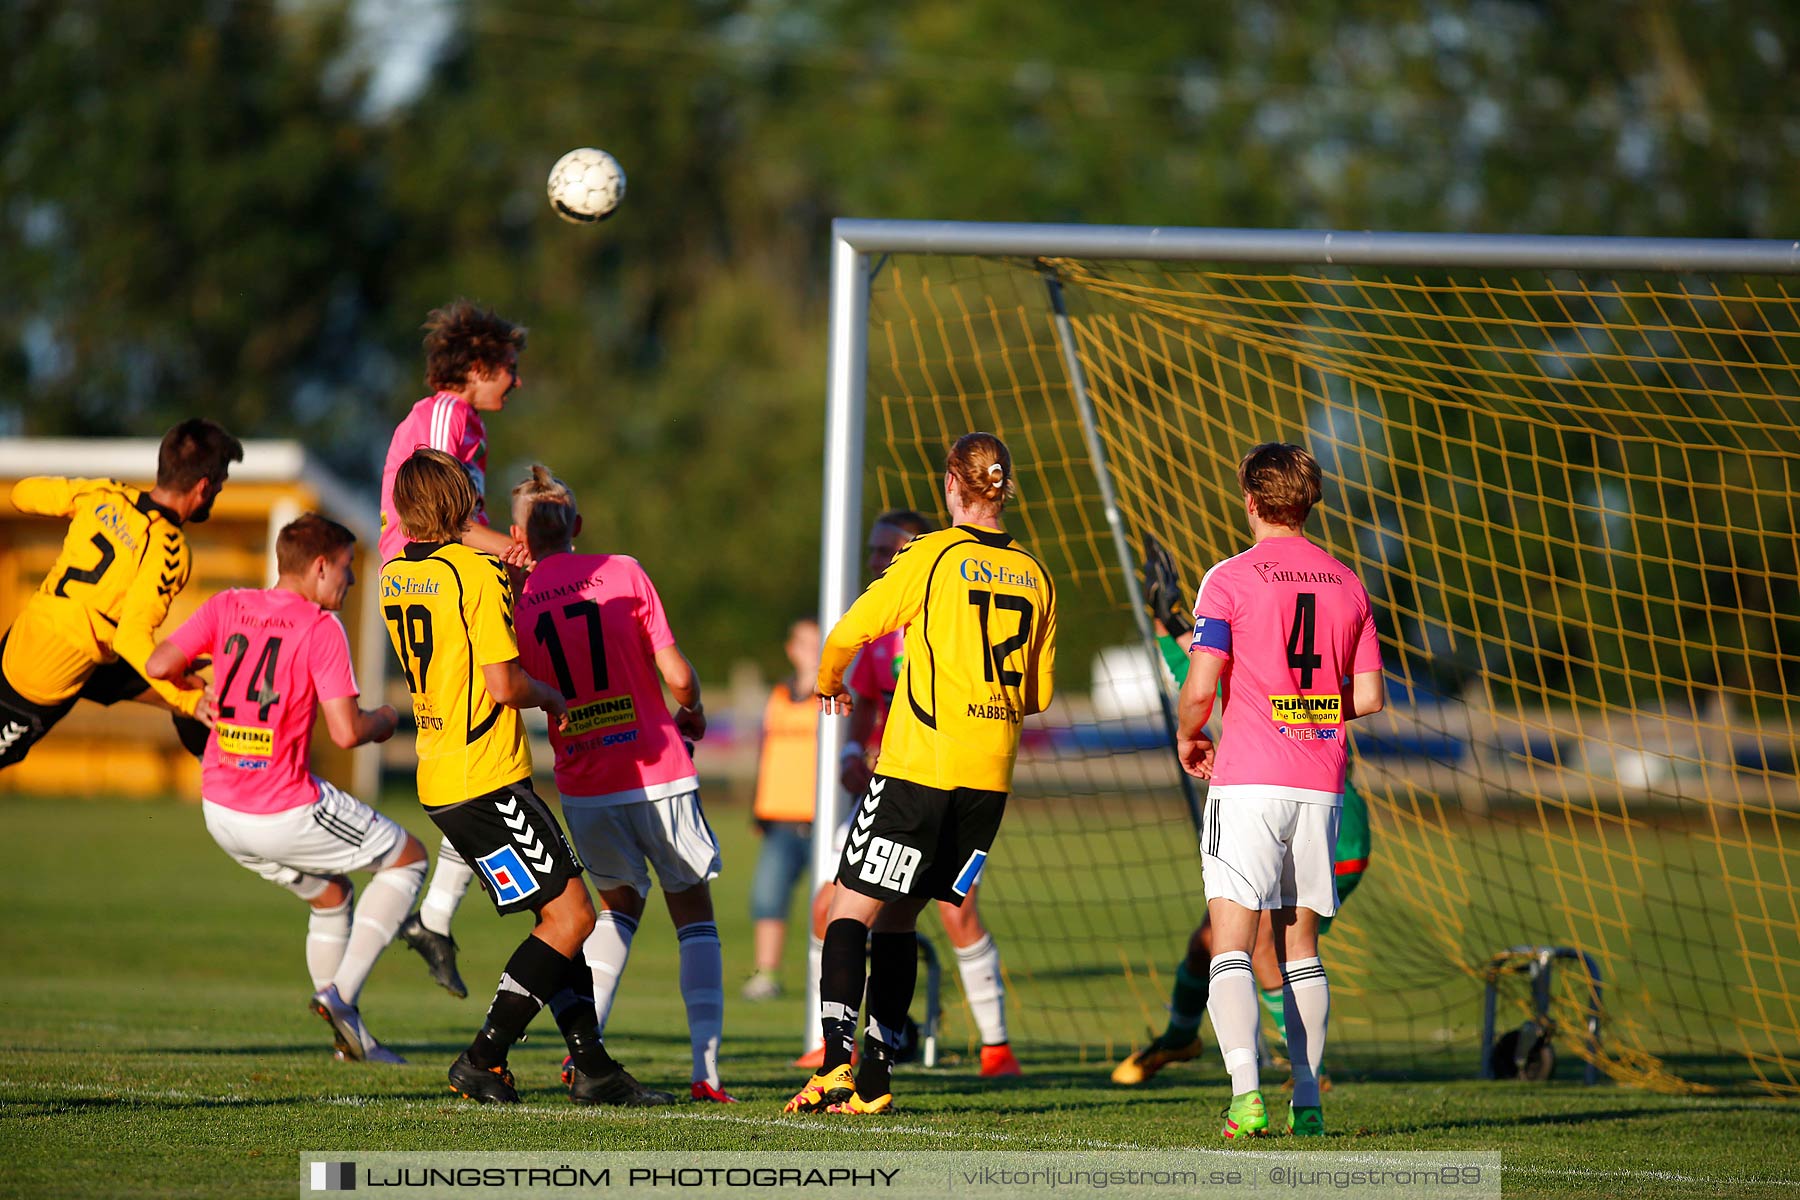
x: 840, y: 537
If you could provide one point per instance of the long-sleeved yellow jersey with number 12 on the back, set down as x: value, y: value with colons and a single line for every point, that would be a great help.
x: 980, y: 620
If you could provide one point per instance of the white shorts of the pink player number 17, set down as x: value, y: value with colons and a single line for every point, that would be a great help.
x: 620, y: 843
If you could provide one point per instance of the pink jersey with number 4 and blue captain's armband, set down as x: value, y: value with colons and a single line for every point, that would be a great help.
x: 1293, y: 625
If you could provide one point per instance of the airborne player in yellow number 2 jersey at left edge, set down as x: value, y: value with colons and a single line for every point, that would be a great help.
x: 91, y: 627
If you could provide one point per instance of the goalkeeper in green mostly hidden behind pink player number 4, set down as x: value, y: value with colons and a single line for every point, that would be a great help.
x: 1187, y: 1005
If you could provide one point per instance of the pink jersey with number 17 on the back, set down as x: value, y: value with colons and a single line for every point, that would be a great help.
x: 591, y: 627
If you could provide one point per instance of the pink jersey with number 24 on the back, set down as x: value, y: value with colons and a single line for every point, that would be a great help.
x: 276, y: 656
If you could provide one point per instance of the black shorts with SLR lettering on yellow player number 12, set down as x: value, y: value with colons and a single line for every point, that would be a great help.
x: 913, y: 841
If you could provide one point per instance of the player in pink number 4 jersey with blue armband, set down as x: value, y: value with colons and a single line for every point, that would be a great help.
x: 1291, y: 634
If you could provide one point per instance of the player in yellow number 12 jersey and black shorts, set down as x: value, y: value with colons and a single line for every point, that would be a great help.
x: 980, y: 620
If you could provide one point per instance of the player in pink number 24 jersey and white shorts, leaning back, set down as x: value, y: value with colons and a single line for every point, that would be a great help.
x: 280, y: 654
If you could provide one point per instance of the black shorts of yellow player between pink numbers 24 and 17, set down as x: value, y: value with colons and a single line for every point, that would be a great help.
x: 516, y: 846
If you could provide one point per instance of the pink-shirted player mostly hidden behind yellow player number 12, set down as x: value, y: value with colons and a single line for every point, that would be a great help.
x: 872, y: 681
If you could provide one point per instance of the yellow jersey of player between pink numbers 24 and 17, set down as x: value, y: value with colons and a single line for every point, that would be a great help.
x: 449, y: 613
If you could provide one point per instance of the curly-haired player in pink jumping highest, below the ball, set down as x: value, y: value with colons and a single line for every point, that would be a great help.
x: 472, y: 368
